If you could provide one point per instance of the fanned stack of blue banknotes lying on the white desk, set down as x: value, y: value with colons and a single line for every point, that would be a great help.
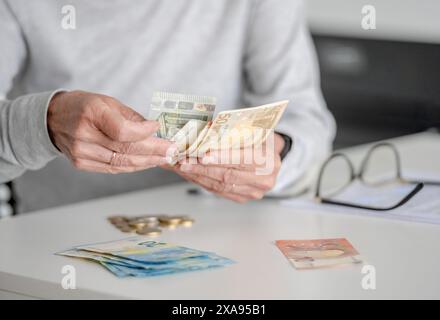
x: 142, y: 257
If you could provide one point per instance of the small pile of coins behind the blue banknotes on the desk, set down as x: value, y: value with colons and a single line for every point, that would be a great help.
x: 149, y: 225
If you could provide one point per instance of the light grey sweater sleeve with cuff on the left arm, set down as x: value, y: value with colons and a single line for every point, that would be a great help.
x: 24, y: 139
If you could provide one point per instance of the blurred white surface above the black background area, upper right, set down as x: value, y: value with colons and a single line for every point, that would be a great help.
x: 406, y: 20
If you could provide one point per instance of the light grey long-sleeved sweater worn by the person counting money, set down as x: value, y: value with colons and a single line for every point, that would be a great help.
x: 243, y: 52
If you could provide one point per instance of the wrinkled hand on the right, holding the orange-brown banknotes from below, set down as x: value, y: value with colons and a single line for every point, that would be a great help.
x: 235, y: 178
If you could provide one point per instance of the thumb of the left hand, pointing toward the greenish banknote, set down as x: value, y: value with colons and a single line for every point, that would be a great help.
x: 116, y: 127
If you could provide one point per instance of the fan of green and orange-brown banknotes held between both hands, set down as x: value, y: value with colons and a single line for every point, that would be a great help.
x: 187, y: 120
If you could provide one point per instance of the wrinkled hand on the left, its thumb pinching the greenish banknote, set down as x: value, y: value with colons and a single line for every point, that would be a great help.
x: 99, y: 133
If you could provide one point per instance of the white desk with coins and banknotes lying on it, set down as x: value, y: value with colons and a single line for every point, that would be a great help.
x: 406, y: 255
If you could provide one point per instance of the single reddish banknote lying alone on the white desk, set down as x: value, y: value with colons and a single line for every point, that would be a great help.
x: 319, y: 253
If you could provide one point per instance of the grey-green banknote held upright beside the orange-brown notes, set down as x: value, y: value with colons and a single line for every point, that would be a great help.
x: 174, y: 110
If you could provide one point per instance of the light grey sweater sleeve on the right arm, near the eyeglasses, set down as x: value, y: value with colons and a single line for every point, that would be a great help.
x: 280, y: 63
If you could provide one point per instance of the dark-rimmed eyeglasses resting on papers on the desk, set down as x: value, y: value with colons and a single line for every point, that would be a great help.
x: 367, y: 177
